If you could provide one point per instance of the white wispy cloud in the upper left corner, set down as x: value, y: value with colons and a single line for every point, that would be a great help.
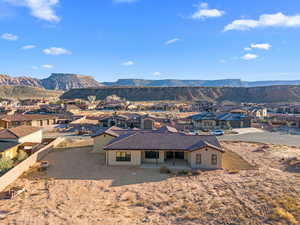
x: 42, y: 9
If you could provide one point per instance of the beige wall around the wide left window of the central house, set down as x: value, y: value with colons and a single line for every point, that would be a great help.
x: 136, y: 157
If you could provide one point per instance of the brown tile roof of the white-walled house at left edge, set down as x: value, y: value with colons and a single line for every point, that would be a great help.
x: 18, y: 132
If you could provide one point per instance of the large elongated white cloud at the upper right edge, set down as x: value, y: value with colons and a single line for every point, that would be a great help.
x: 265, y: 20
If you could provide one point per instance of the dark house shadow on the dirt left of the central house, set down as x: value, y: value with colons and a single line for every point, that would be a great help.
x: 82, y: 164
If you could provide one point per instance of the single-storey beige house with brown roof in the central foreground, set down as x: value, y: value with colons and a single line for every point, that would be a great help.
x: 163, y: 147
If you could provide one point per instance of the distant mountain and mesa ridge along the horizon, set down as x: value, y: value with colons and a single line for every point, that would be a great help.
x: 67, y: 81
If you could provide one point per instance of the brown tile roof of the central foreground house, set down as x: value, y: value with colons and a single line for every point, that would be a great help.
x: 163, y: 141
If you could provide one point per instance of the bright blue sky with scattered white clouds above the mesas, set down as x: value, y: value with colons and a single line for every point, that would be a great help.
x: 151, y: 39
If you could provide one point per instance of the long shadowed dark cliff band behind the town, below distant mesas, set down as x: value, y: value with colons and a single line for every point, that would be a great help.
x: 216, y: 94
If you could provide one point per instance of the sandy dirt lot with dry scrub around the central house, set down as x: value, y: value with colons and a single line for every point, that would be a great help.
x: 79, y: 189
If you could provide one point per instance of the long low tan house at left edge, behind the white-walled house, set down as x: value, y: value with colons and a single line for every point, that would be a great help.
x: 35, y: 120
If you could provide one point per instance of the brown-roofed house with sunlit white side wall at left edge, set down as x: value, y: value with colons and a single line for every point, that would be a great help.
x: 22, y: 134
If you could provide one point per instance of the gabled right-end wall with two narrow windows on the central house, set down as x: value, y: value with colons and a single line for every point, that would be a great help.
x: 206, y: 159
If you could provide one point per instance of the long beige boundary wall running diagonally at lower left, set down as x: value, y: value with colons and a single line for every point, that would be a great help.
x: 19, y: 169
